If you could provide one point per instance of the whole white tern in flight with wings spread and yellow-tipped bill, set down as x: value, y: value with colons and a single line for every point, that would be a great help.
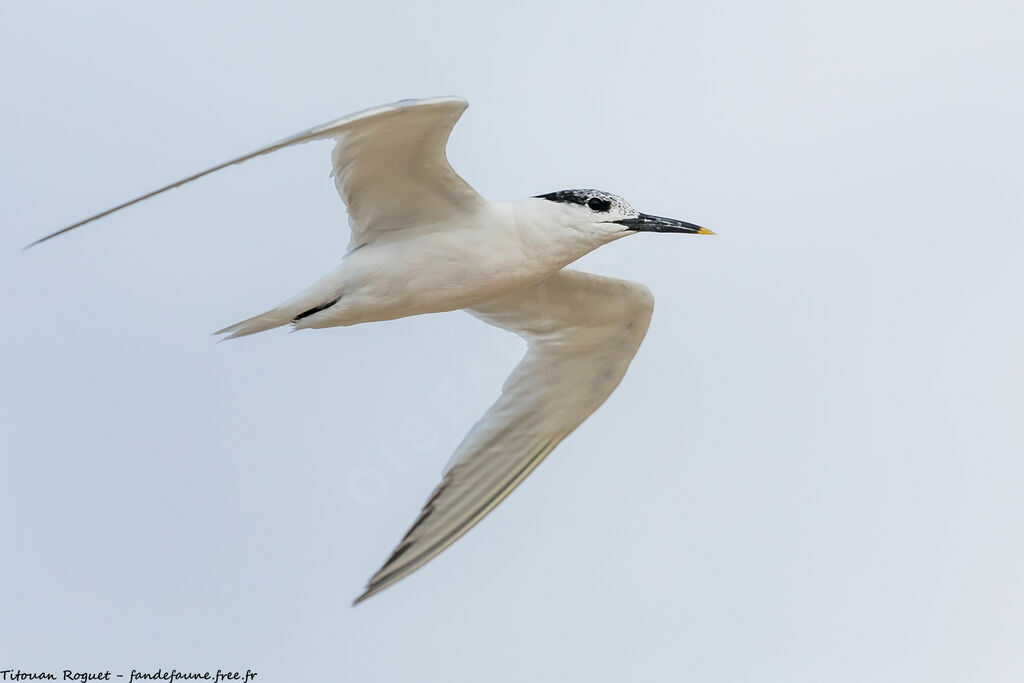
x: 424, y: 242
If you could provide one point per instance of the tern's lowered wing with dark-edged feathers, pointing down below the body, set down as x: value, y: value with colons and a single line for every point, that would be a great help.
x: 582, y: 333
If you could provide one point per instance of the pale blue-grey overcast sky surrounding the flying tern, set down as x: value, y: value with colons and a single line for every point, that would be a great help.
x: 813, y: 472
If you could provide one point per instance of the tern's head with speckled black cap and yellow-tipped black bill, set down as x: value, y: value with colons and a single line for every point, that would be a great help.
x: 612, y: 216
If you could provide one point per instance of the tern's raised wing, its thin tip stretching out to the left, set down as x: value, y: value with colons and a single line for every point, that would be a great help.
x: 390, y: 166
